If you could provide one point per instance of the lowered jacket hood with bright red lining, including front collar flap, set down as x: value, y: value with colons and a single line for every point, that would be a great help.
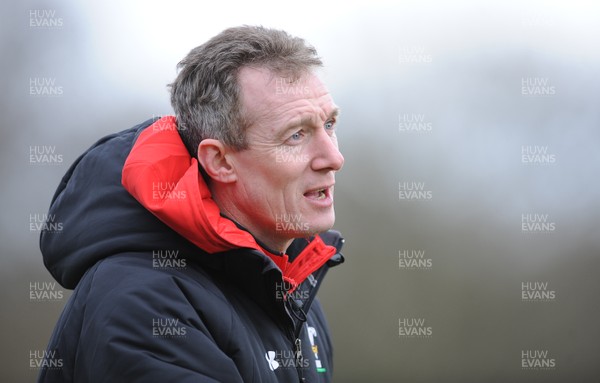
x: 109, y: 200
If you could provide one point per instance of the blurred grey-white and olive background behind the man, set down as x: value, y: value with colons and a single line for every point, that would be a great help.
x: 469, y: 197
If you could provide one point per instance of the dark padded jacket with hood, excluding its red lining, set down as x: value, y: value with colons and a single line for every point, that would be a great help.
x: 150, y: 306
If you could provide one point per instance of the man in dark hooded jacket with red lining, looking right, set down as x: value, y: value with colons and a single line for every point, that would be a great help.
x: 193, y: 241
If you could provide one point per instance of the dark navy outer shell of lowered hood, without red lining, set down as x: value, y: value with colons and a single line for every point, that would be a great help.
x: 99, y: 217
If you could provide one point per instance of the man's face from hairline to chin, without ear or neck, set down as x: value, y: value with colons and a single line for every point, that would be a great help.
x: 286, y: 175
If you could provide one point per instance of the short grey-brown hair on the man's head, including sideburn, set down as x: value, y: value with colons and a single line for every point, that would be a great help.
x: 206, y: 93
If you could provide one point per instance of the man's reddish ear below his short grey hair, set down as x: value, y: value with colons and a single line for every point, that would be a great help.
x: 212, y: 155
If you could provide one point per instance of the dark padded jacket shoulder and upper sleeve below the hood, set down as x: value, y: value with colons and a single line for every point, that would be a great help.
x: 140, y: 322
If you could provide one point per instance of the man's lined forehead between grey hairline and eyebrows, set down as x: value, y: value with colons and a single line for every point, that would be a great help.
x: 272, y: 98
